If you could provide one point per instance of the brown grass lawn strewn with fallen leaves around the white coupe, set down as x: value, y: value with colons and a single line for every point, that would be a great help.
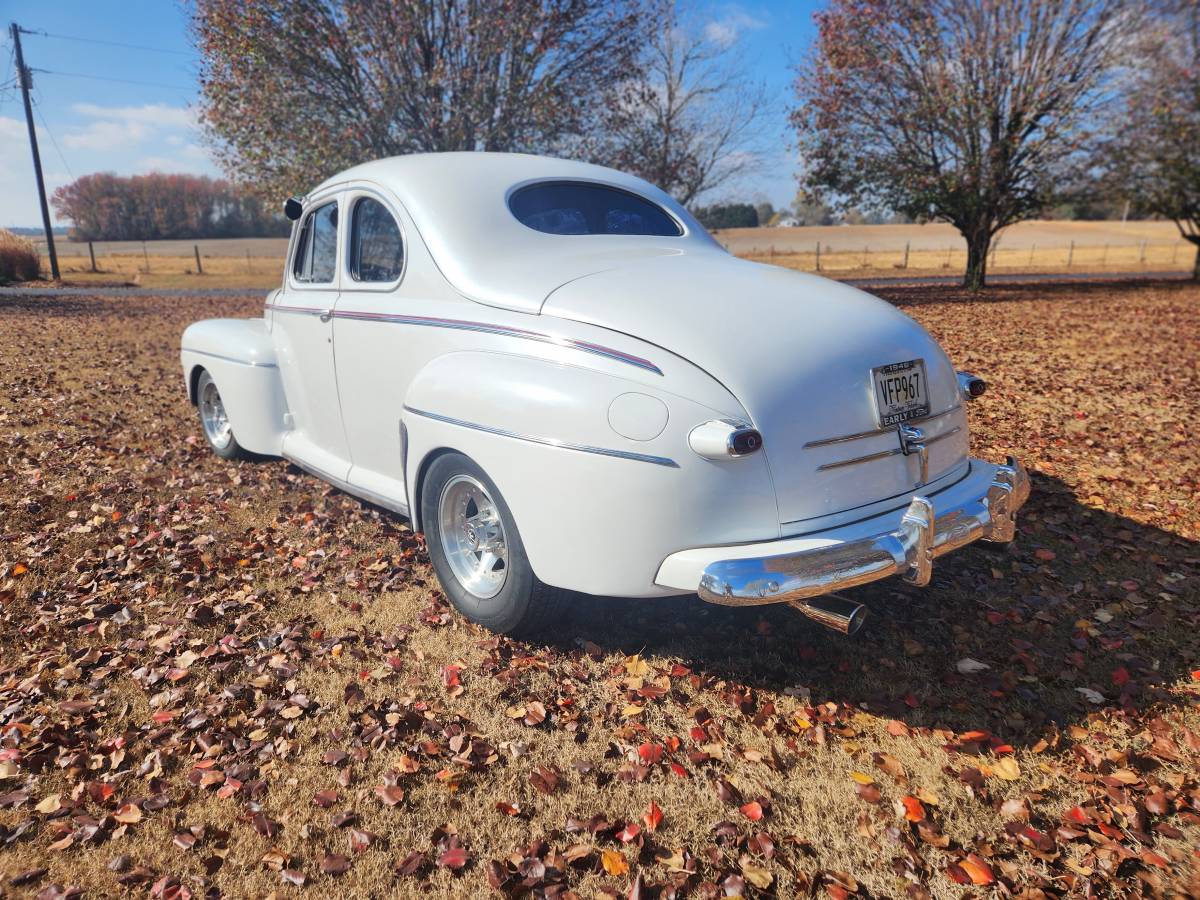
x: 231, y: 677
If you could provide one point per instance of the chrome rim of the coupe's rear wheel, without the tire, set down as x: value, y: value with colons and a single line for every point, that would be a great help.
x: 472, y: 533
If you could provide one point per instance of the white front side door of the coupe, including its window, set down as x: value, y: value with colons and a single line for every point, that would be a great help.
x: 303, y: 326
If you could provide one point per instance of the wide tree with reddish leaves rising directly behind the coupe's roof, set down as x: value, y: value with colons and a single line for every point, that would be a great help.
x: 295, y: 91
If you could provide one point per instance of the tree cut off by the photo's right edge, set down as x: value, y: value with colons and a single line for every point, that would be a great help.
x: 1154, y: 154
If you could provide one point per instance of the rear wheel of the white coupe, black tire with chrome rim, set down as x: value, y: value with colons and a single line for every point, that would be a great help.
x: 477, y: 550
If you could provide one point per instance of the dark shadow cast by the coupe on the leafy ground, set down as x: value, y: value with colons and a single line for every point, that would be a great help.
x: 1088, y: 611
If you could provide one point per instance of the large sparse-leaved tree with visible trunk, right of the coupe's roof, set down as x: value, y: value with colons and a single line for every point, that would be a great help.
x: 964, y: 111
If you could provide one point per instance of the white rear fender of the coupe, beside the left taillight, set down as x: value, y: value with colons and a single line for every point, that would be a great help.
x: 598, y: 512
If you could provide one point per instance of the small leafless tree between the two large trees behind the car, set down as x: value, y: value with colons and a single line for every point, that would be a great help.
x: 691, y: 121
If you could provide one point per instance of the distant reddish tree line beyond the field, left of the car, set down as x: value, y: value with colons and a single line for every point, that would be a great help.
x: 157, y: 207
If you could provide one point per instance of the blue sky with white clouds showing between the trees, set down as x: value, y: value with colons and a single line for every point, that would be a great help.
x: 134, y: 112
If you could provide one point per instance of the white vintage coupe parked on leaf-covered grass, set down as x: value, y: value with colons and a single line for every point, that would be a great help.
x: 566, y: 383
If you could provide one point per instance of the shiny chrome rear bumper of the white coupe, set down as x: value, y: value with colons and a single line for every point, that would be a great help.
x: 908, y: 551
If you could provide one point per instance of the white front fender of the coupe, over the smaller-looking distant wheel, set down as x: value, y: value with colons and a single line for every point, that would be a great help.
x: 241, y: 357
